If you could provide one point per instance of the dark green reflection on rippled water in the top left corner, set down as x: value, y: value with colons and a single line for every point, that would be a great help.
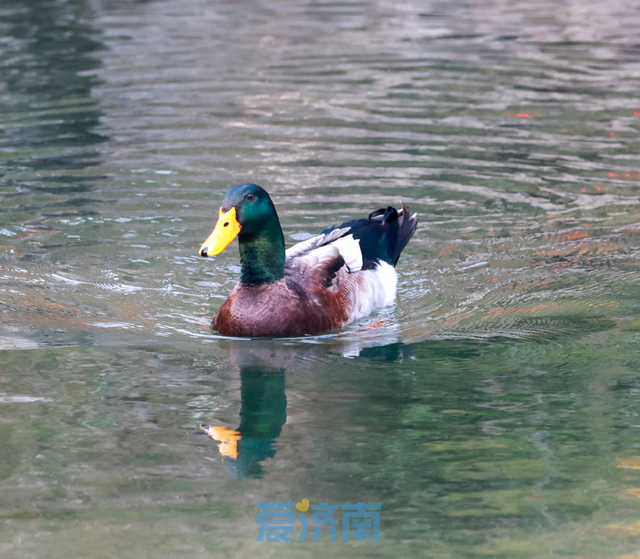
x: 47, y: 62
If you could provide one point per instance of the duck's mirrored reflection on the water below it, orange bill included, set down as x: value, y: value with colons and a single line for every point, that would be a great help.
x: 263, y: 401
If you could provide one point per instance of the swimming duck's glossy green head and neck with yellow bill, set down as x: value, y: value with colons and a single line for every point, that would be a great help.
x: 248, y: 213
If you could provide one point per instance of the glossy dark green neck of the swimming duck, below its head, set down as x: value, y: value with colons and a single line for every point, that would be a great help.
x: 262, y: 255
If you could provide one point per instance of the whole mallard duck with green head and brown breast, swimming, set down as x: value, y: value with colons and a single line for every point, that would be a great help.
x: 320, y: 284
